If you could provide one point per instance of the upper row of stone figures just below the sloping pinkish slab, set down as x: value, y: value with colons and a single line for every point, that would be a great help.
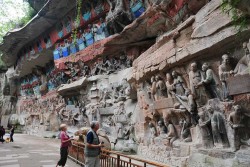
x: 203, y: 84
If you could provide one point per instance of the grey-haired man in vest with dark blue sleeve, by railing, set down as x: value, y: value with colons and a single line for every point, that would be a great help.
x: 93, y: 146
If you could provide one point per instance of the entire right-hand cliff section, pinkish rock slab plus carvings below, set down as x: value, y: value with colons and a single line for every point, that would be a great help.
x: 195, y: 69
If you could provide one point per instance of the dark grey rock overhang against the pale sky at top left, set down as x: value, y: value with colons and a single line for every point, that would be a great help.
x: 45, y: 19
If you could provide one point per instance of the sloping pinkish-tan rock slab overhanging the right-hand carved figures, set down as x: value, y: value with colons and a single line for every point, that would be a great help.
x: 198, y: 37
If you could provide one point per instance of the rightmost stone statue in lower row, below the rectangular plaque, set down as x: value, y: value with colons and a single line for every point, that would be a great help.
x: 237, y: 120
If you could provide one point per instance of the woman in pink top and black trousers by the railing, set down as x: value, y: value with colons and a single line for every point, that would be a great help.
x: 65, y: 142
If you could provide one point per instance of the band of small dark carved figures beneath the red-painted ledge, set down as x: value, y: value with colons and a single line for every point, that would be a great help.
x: 74, y: 71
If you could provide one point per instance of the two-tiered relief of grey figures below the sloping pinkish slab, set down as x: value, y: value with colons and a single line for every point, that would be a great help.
x: 202, y: 112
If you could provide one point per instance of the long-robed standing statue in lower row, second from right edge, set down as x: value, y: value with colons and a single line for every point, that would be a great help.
x: 218, y: 128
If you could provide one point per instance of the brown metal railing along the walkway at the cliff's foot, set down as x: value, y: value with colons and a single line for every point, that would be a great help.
x: 110, y: 158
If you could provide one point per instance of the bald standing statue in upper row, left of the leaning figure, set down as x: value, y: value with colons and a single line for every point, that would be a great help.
x: 195, y: 77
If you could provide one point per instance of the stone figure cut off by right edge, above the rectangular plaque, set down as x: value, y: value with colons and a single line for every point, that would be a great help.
x: 243, y: 66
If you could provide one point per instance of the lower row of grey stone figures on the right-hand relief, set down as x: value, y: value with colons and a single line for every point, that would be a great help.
x: 212, y: 125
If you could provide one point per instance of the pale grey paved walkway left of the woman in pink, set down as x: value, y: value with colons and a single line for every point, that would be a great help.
x: 31, y: 151
